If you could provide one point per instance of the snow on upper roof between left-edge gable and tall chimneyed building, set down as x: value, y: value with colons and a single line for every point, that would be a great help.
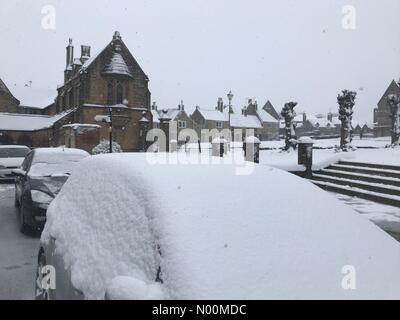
x: 31, y: 96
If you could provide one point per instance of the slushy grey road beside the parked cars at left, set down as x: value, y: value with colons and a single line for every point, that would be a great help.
x: 17, y: 252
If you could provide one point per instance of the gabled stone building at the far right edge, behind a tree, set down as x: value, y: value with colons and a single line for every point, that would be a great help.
x: 382, y: 120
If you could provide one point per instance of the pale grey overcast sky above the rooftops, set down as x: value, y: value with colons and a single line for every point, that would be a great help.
x: 199, y: 50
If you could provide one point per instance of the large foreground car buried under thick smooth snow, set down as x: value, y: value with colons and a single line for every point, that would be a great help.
x: 124, y: 227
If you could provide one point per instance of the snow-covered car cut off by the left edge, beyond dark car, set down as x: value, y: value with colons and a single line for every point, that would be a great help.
x: 11, y: 157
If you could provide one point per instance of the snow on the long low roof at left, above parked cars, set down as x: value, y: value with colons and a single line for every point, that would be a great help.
x: 24, y: 122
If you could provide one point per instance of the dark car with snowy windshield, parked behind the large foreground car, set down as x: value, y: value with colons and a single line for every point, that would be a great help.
x: 39, y: 180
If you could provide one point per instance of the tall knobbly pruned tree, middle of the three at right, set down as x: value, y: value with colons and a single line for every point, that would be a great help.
x: 346, y: 102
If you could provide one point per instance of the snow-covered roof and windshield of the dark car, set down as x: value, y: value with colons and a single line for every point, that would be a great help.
x: 54, y: 164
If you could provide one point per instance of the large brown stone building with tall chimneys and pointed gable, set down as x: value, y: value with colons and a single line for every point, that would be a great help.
x: 110, y: 82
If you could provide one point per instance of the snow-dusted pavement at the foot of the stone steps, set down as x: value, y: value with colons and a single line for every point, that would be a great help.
x: 386, y: 217
